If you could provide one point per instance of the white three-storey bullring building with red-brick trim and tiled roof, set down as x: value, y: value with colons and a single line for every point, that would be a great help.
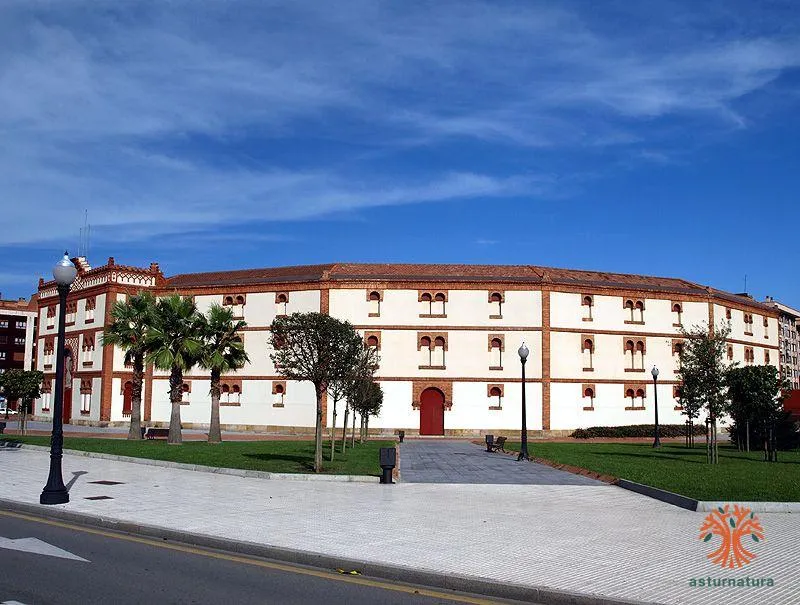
x: 447, y: 335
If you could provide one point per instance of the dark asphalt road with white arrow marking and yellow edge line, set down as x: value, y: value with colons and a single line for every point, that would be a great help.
x: 121, y: 569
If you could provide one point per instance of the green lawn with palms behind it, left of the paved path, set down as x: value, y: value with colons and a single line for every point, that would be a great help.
x: 271, y: 456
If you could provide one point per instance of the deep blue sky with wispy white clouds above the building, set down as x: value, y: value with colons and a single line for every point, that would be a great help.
x: 658, y: 138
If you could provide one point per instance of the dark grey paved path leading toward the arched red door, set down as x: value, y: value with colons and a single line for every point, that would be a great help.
x: 457, y: 461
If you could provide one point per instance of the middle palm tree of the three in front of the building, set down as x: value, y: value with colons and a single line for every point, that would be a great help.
x: 174, y: 343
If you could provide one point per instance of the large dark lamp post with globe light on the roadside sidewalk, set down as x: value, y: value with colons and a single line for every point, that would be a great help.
x: 55, y: 492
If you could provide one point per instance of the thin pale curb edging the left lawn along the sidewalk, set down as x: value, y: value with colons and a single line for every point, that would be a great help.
x: 236, y: 472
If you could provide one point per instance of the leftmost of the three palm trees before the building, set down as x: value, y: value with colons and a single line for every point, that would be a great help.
x: 130, y: 321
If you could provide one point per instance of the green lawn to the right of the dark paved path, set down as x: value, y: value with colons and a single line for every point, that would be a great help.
x: 738, y: 476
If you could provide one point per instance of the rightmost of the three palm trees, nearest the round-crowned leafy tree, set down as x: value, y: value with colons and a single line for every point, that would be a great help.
x: 223, y: 352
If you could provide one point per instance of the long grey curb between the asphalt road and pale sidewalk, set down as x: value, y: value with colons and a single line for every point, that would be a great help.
x: 397, y: 573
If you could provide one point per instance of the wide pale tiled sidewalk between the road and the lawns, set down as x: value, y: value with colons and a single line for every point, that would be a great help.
x: 601, y: 543
